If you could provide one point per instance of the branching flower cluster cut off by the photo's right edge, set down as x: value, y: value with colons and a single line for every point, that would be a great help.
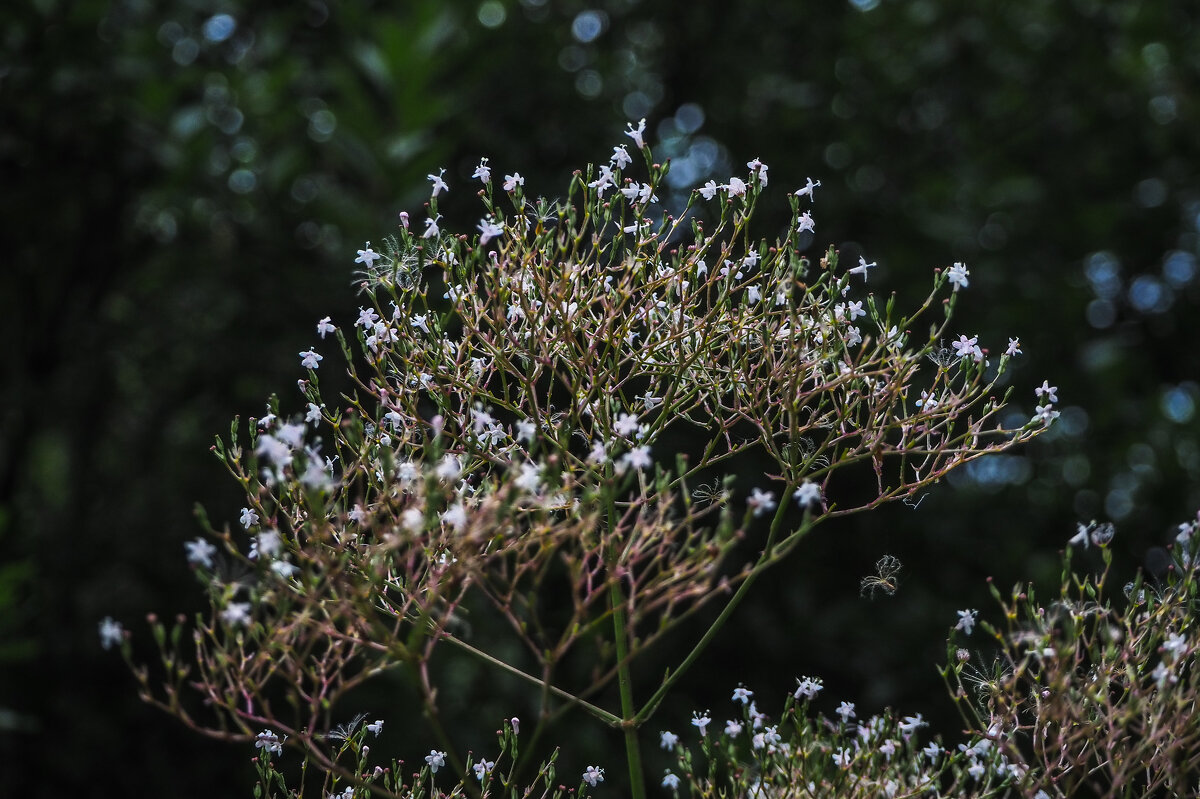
x: 1093, y: 695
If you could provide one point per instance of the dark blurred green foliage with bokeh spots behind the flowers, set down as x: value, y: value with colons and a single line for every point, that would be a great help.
x: 185, y: 184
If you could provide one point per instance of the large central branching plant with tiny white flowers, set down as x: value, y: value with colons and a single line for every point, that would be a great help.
x: 537, y: 410
